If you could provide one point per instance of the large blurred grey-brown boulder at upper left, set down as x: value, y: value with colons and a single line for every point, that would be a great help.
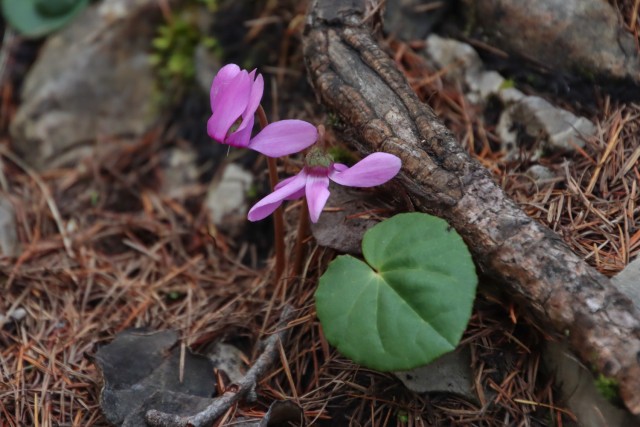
x: 92, y: 83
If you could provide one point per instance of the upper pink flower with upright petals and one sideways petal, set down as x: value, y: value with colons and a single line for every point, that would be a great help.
x: 235, y: 98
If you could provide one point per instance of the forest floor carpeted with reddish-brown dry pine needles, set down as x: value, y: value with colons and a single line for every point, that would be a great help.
x: 103, y: 249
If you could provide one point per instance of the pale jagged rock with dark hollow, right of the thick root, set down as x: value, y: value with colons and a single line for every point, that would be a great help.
x: 533, y: 118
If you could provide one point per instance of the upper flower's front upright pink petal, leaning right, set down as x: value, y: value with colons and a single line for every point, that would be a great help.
x: 229, y: 105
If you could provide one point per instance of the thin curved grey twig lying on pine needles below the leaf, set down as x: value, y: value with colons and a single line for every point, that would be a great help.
x: 221, y: 404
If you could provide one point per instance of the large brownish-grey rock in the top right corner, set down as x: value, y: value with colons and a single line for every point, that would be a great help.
x: 584, y: 36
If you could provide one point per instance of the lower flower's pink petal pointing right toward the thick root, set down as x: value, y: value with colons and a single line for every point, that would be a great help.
x: 375, y: 169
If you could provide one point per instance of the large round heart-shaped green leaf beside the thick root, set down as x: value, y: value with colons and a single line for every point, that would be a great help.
x: 409, y: 305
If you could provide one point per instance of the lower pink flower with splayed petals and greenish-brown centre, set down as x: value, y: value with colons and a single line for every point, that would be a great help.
x: 313, y: 181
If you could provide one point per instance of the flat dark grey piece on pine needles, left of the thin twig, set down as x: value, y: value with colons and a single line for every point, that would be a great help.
x: 145, y: 369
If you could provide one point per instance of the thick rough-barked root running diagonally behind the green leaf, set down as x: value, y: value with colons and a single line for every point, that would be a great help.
x: 355, y: 78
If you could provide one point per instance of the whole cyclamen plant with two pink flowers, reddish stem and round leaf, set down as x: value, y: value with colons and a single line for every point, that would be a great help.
x: 409, y: 301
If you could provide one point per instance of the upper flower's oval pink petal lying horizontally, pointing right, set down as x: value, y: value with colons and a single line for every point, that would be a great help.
x: 284, y: 137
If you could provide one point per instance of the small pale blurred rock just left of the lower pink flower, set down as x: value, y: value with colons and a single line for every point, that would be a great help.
x: 227, y: 197
